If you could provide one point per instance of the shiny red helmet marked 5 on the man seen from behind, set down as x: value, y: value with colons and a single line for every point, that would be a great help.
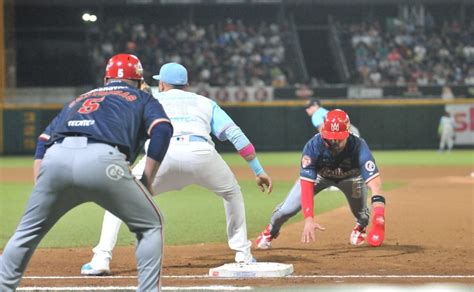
x: 124, y: 66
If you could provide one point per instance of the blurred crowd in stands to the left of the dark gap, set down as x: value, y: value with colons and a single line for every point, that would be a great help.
x: 230, y: 53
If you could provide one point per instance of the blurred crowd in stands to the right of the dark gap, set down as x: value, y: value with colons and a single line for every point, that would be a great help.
x: 403, y: 52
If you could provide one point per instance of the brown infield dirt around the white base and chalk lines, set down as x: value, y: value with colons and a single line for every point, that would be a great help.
x: 429, y: 231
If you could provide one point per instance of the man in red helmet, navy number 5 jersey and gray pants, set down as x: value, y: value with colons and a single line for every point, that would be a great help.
x: 84, y: 155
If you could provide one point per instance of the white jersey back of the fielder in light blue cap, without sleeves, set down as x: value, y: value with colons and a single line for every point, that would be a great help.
x: 190, y: 113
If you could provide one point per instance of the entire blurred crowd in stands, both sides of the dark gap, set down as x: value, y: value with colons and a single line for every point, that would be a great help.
x: 234, y: 53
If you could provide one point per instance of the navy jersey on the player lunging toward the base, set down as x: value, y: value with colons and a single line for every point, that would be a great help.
x: 354, y: 160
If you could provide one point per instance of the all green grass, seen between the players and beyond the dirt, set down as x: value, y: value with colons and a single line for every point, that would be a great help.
x: 195, y: 215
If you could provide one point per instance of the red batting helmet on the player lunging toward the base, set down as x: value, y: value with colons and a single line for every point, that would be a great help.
x: 336, y: 125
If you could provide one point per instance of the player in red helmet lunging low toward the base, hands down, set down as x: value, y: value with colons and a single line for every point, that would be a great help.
x: 334, y: 157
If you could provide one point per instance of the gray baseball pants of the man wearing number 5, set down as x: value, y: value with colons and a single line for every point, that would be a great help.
x: 74, y: 172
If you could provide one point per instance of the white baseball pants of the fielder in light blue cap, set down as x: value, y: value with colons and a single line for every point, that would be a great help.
x: 186, y: 163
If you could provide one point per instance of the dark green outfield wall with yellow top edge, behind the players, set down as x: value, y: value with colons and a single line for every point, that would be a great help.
x: 281, y: 126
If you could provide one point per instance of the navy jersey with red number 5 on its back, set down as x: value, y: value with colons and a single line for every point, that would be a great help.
x: 116, y: 114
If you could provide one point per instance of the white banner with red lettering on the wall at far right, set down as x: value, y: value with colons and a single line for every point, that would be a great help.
x: 464, y: 117
